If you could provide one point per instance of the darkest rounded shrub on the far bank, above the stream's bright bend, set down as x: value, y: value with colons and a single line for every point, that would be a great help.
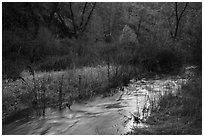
x: 156, y: 59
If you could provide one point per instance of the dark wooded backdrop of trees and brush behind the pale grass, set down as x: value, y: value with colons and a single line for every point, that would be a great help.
x: 76, y: 29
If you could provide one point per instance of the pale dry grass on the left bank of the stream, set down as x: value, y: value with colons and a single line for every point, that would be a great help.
x: 78, y: 84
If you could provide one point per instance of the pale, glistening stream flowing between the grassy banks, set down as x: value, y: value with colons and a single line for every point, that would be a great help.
x: 117, y: 114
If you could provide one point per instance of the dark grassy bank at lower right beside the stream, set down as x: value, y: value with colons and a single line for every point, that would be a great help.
x: 179, y: 114
